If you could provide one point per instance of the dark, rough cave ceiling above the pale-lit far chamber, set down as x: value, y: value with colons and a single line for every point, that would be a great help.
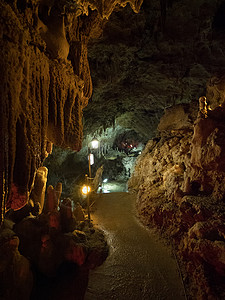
x: 144, y: 63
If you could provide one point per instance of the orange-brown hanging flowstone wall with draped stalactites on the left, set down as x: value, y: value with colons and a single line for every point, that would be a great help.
x: 45, y: 81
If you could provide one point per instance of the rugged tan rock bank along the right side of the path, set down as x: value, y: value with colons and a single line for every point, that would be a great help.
x: 180, y: 180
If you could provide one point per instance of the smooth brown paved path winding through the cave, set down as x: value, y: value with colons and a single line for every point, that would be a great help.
x: 139, y: 265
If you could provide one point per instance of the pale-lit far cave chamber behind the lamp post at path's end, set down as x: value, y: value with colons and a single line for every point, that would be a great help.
x: 113, y: 163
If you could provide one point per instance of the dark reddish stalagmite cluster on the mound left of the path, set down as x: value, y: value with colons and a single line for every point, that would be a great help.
x: 47, y: 247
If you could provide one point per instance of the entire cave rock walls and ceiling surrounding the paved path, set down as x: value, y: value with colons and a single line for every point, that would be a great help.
x: 146, y: 78
